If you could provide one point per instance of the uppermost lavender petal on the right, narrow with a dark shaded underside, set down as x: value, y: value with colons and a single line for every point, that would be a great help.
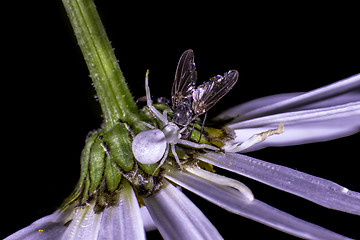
x: 340, y: 92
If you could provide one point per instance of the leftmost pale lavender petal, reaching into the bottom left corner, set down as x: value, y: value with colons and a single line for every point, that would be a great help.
x: 49, y: 227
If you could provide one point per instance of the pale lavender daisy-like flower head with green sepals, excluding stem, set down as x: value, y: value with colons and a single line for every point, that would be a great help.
x: 106, y: 203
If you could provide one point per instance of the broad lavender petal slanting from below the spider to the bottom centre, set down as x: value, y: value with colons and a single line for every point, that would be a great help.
x: 177, y: 217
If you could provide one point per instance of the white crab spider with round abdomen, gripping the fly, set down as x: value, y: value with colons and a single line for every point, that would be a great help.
x: 152, y: 146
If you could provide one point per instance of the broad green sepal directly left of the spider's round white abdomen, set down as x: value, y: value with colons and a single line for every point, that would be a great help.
x: 118, y: 145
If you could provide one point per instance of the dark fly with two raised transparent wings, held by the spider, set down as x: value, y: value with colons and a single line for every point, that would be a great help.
x: 189, y: 101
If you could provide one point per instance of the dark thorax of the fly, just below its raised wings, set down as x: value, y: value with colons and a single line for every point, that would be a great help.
x: 183, y: 113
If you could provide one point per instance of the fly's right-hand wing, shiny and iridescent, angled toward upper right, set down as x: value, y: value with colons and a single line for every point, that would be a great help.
x: 207, y: 94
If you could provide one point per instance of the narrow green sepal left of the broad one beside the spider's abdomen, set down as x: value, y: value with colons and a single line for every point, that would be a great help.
x: 96, y: 167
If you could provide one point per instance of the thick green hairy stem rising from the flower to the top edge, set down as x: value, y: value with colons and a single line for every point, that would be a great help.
x: 114, y: 96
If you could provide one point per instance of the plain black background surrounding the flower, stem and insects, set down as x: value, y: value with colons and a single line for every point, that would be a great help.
x: 49, y: 106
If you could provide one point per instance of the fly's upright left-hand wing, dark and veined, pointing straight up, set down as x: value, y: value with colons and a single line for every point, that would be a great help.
x: 185, y: 78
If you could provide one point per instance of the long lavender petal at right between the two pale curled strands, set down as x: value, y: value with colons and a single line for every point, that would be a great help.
x: 315, y: 189
